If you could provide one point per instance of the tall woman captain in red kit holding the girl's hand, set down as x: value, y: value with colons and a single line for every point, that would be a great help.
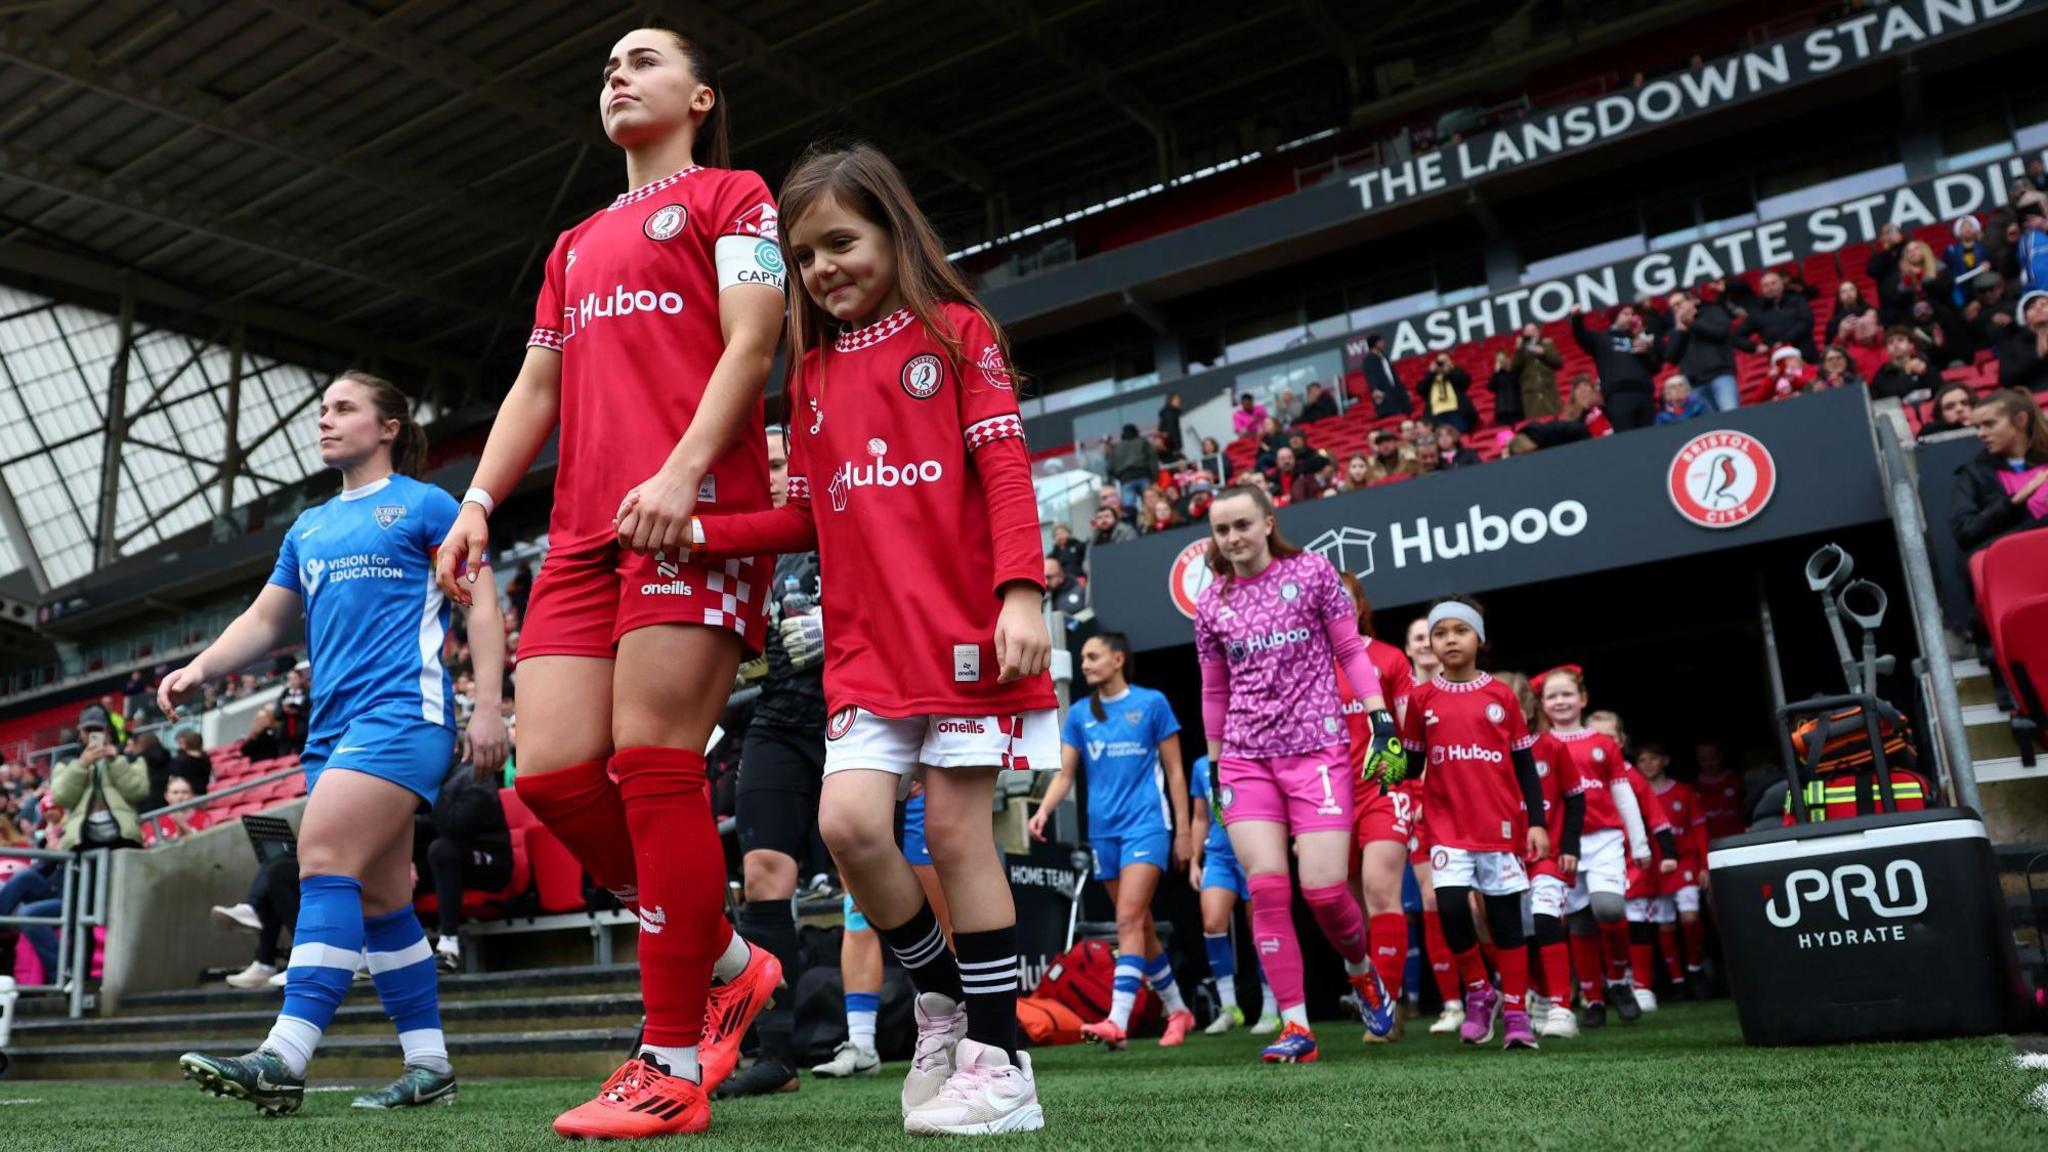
x: 654, y: 333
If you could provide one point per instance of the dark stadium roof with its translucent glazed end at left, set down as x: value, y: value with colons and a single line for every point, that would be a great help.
x: 271, y: 190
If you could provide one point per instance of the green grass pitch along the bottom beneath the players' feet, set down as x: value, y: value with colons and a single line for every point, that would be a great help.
x: 1680, y: 1079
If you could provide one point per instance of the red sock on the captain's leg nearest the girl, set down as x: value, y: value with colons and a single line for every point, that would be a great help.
x: 681, y: 872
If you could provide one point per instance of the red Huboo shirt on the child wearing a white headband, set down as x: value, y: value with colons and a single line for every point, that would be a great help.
x: 1465, y: 735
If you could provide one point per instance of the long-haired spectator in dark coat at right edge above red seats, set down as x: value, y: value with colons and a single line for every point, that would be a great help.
x: 2004, y: 489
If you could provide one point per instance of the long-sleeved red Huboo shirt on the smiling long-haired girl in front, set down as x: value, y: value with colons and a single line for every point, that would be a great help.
x: 927, y: 513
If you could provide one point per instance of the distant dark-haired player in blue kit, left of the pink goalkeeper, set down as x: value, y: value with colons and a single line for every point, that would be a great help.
x: 1138, y: 823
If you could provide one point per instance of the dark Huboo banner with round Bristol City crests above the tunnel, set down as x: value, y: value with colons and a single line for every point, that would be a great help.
x: 1768, y: 472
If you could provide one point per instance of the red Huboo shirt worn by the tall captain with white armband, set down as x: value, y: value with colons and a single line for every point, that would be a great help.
x: 632, y: 302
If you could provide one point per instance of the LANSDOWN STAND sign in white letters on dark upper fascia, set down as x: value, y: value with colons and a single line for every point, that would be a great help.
x: 1730, y: 81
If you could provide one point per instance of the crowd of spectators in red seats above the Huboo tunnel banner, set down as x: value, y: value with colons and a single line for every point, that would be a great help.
x: 1983, y: 298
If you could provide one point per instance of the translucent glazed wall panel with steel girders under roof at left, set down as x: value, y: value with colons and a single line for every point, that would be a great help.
x: 58, y: 374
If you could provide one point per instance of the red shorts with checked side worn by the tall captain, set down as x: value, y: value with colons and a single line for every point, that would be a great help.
x: 593, y: 593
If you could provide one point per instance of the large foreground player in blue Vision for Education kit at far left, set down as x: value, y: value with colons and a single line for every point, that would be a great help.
x: 382, y: 737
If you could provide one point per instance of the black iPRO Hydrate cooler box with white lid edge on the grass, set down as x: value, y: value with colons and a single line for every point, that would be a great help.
x: 1875, y: 928
